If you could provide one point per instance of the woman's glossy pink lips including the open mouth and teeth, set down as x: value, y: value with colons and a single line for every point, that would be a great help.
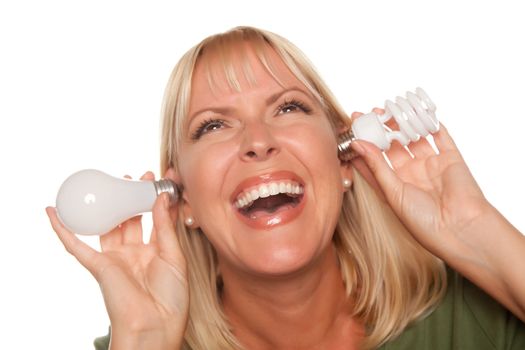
x: 267, y: 200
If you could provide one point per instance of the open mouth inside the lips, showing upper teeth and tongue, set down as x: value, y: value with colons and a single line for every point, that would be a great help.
x: 269, y: 198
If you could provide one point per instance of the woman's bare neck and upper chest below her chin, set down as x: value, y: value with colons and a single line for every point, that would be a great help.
x: 306, y: 310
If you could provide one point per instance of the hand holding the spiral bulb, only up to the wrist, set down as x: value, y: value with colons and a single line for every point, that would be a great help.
x: 433, y: 194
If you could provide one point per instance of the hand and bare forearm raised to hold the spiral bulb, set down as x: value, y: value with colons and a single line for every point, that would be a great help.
x: 437, y: 199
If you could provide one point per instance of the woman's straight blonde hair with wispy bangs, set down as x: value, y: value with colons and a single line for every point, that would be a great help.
x: 391, y: 279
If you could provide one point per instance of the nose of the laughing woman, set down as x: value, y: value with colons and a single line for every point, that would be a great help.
x: 258, y: 143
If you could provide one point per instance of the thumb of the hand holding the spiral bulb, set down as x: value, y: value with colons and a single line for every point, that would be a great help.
x: 388, y: 181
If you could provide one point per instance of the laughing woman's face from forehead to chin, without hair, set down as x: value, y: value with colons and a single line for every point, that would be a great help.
x: 269, y: 141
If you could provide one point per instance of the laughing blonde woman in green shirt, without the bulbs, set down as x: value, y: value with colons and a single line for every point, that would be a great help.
x: 276, y: 244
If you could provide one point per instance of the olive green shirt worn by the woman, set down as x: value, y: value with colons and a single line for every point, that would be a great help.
x: 466, y: 319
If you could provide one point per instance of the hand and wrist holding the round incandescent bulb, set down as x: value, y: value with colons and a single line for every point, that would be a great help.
x: 145, y: 286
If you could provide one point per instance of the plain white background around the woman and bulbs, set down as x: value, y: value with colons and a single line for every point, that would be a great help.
x: 81, y: 84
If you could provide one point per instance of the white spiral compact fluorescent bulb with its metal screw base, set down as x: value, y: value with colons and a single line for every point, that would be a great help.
x: 414, y: 115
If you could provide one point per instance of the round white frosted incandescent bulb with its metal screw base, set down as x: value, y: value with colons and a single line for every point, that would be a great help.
x: 91, y: 202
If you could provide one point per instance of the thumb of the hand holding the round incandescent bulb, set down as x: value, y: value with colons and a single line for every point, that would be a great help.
x: 165, y: 232
